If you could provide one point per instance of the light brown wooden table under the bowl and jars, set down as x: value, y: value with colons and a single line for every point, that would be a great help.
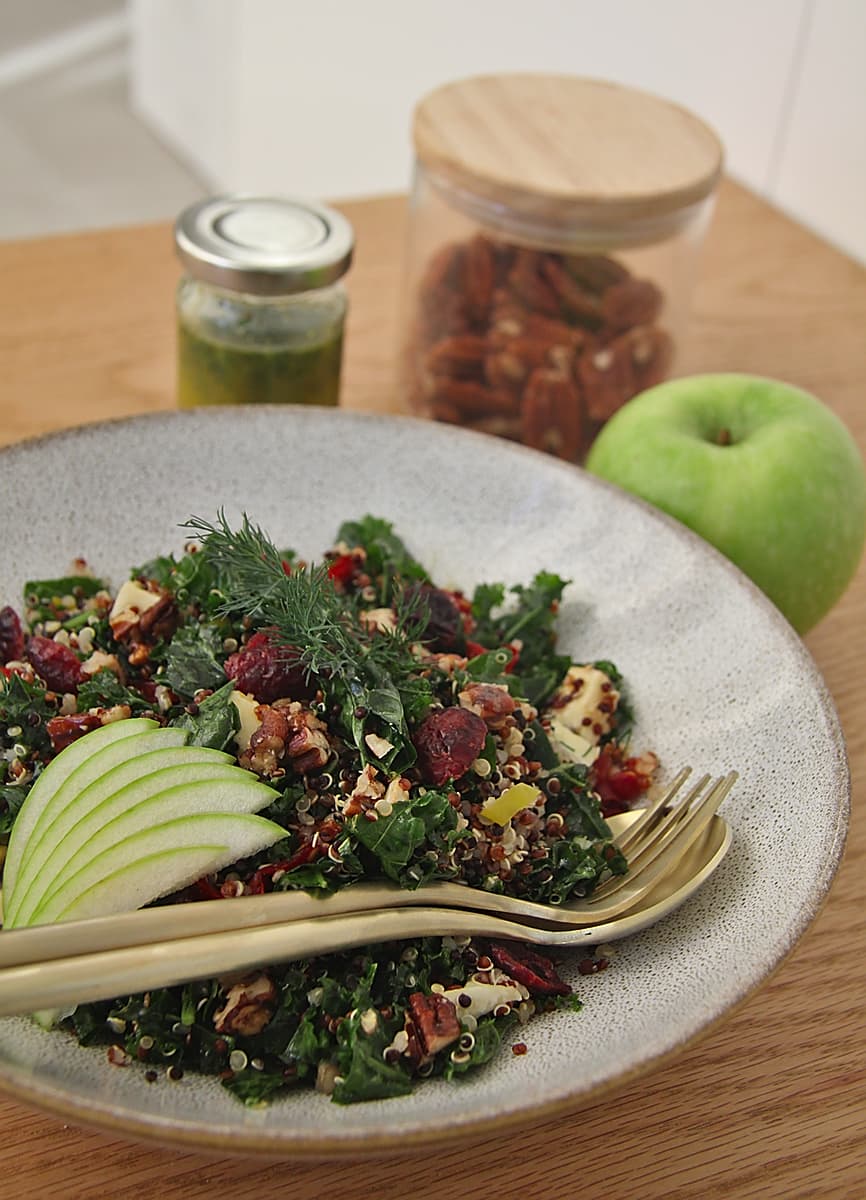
x: 773, y: 1102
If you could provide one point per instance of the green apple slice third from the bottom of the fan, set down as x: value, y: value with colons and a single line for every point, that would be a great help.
x: 184, y: 779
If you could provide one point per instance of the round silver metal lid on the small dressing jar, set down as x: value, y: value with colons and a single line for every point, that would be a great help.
x: 264, y: 245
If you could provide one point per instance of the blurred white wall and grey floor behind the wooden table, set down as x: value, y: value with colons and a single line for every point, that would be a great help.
x: 116, y: 113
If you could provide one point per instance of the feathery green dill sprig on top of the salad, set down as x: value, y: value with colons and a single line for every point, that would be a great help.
x: 370, y: 674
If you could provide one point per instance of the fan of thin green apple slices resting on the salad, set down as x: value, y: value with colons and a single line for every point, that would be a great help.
x: 125, y: 815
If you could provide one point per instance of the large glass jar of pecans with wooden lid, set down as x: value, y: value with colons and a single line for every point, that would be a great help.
x: 555, y: 232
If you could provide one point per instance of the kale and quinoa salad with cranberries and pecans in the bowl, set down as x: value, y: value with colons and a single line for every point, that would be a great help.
x: 411, y: 734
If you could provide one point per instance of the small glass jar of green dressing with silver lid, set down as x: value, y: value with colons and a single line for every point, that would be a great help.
x: 261, y: 309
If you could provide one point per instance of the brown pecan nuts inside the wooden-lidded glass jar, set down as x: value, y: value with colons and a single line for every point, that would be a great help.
x: 533, y: 345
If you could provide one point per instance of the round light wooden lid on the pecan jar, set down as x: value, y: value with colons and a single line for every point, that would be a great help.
x: 568, y: 151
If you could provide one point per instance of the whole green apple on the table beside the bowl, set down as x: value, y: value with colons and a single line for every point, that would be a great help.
x: 762, y: 470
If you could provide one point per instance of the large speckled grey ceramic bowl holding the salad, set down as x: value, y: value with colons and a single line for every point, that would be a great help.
x: 718, y: 676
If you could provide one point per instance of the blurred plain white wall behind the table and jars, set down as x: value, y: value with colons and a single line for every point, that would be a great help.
x: 317, y: 99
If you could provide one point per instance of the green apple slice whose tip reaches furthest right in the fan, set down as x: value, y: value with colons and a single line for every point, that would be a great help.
x: 157, y: 862
